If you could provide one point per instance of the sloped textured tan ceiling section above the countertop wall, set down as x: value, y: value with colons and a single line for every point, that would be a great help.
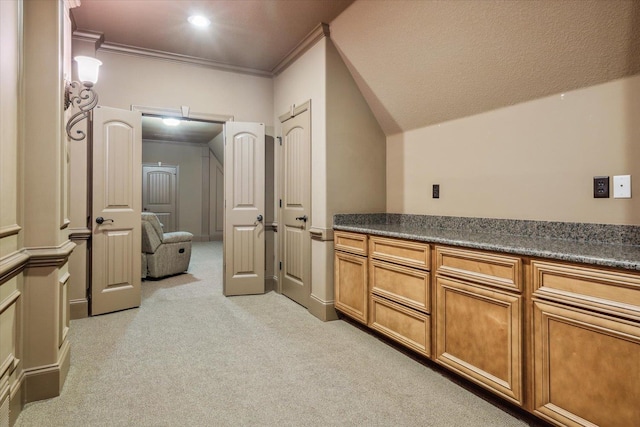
x: 420, y: 63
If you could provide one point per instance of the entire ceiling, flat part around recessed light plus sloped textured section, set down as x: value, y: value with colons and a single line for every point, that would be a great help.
x: 417, y: 62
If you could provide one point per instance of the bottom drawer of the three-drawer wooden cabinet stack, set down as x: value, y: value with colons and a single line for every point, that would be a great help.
x: 406, y: 326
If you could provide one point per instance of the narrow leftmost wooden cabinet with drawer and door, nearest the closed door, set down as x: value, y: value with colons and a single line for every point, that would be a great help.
x: 350, y: 275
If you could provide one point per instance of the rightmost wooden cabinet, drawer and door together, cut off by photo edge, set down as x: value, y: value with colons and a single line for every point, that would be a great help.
x: 586, y: 345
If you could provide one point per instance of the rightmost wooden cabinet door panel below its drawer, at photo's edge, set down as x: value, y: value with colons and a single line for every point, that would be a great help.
x: 587, y: 367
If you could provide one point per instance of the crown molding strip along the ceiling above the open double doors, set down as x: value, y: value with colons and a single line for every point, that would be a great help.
x: 167, y: 56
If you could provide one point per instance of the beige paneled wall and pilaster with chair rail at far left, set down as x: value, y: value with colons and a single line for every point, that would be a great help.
x: 34, y: 204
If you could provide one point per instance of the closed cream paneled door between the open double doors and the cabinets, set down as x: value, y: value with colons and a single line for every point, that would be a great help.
x: 296, y: 206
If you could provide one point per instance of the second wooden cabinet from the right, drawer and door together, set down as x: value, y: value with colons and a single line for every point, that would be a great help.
x: 479, y: 331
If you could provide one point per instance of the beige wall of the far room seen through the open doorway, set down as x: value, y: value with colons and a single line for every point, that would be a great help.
x: 188, y: 158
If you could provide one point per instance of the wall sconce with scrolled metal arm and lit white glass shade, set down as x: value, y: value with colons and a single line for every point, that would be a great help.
x: 82, y: 94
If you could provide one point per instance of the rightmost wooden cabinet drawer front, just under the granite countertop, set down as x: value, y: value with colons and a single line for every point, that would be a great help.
x: 614, y: 292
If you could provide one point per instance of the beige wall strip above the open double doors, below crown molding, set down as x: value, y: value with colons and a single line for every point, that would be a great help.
x: 126, y: 80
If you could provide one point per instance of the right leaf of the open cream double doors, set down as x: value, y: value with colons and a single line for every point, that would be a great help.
x: 244, y: 190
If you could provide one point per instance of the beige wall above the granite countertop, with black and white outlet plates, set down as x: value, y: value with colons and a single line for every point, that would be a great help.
x: 534, y: 160
